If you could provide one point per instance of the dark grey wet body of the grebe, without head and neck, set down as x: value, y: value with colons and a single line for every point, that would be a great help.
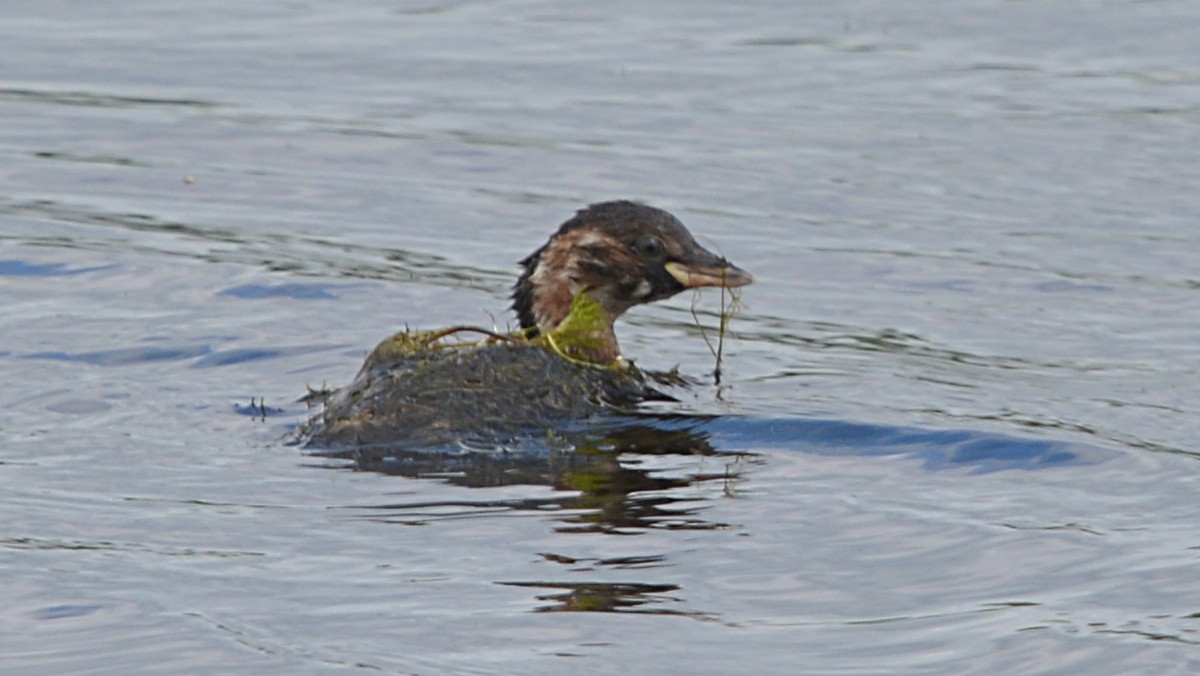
x: 418, y: 391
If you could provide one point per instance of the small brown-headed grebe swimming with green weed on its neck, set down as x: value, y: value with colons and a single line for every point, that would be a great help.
x: 607, y: 260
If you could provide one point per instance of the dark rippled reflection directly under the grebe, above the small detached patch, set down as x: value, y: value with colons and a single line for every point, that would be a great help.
x: 615, y: 486
